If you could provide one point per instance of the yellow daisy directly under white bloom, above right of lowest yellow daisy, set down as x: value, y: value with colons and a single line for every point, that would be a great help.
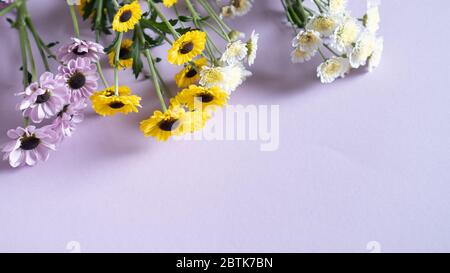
x: 196, y: 96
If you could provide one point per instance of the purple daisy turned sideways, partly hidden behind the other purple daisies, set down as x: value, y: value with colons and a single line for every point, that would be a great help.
x: 68, y: 118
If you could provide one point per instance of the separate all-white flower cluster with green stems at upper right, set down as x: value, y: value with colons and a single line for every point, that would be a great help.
x: 351, y: 42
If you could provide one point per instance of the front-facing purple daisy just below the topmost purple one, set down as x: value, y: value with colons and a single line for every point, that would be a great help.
x: 80, y: 76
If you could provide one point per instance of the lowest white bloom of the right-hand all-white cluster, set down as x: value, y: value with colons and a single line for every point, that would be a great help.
x: 333, y: 68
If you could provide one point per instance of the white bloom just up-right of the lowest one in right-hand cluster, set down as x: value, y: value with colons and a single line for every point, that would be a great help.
x: 362, y: 50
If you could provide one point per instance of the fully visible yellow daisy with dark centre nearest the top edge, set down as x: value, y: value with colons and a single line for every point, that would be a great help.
x: 127, y: 17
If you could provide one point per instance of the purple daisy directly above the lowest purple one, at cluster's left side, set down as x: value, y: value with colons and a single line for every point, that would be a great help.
x: 43, y: 99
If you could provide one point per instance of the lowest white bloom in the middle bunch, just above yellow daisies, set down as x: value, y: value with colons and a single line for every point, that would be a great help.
x: 227, y: 78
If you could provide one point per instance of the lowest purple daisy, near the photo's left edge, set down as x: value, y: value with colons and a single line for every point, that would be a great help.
x: 29, y: 145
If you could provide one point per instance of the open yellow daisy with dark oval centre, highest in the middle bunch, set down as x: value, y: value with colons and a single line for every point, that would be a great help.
x: 187, y: 47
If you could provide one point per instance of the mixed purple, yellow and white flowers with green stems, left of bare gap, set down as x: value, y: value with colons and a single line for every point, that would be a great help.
x: 52, y: 103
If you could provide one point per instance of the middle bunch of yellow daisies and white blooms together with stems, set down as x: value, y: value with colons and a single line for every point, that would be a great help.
x: 208, y: 76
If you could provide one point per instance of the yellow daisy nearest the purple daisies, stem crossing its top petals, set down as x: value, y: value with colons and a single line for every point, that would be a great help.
x: 106, y: 103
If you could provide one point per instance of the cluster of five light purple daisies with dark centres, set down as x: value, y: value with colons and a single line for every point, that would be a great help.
x: 59, y: 98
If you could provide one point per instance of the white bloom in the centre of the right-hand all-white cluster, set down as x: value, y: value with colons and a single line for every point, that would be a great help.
x: 346, y: 34
